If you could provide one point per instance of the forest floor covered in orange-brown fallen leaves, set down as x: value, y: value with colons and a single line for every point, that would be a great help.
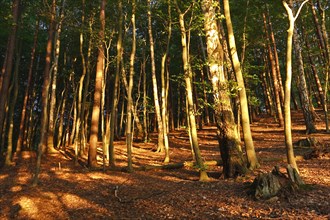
x: 69, y: 191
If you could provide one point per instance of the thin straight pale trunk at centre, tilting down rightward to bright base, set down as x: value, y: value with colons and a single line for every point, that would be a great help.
x: 154, y: 83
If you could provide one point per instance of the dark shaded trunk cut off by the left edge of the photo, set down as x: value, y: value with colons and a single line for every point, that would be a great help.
x: 8, y: 65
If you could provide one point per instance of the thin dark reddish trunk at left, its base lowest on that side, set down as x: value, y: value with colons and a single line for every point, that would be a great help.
x: 45, y: 92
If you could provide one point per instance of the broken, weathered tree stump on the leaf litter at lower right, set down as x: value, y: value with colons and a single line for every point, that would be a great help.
x: 268, y: 185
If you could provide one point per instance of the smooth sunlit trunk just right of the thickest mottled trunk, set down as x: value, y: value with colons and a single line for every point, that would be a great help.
x: 248, y: 140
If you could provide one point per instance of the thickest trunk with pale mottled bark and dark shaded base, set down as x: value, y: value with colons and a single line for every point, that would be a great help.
x: 229, y: 143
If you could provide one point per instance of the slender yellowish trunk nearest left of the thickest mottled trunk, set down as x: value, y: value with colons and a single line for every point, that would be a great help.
x: 190, y: 102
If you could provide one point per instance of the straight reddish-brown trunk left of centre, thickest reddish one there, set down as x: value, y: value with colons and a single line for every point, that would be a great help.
x: 93, y: 139
